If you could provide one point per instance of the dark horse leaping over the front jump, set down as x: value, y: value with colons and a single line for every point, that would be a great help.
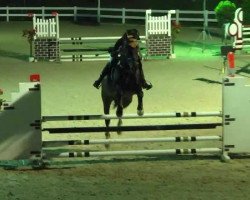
x: 120, y: 85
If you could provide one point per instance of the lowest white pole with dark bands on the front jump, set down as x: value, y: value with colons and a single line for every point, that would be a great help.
x: 141, y: 152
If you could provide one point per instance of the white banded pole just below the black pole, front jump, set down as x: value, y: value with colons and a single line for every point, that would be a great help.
x: 131, y: 140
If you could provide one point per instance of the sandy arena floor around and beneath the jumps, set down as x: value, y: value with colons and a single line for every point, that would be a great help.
x: 191, y: 82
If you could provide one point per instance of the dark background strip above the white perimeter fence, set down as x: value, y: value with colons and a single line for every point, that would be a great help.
x: 143, y: 4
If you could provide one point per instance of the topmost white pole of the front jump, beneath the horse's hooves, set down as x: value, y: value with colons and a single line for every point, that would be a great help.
x: 133, y: 116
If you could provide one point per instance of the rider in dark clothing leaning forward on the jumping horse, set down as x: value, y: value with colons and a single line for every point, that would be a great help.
x: 131, y: 36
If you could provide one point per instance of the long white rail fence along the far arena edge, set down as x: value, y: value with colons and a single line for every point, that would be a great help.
x: 9, y: 13
